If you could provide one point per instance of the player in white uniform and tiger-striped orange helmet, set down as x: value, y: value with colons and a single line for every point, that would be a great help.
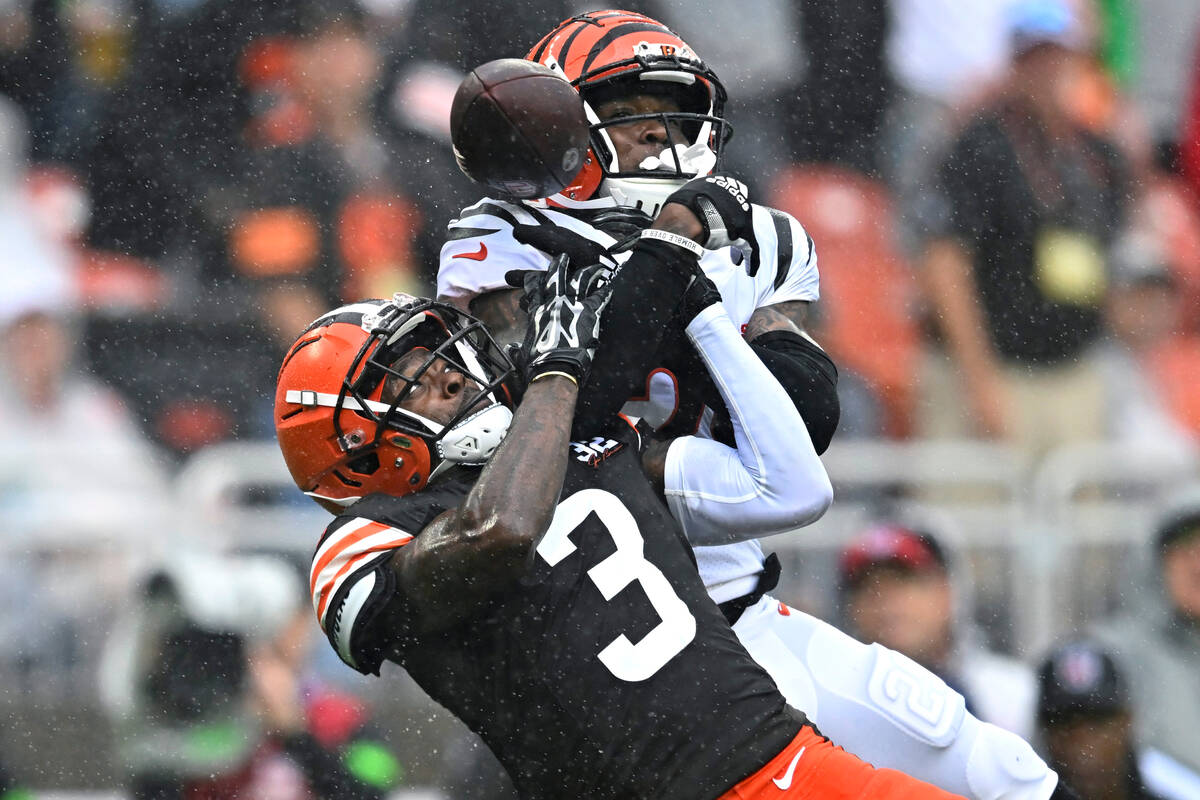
x: 656, y: 113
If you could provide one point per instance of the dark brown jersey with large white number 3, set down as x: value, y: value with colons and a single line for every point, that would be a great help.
x: 605, y: 673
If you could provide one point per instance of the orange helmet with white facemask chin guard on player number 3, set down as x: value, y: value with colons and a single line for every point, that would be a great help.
x: 339, y: 401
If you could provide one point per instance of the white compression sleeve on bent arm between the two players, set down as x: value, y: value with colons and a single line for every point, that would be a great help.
x: 775, y: 482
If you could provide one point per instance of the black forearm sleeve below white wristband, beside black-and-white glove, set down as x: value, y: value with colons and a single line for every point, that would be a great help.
x: 646, y: 293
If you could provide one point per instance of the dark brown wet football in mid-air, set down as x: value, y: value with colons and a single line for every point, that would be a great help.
x: 519, y: 129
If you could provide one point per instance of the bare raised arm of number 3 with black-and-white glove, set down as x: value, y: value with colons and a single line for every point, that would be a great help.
x: 470, y: 554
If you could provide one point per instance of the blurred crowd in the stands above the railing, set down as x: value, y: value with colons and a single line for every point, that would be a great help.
x: 1003, y: 193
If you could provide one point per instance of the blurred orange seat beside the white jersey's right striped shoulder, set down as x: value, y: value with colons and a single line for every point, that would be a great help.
x: 868, y: 291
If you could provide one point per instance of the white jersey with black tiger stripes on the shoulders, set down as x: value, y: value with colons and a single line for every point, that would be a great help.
x: 481, y: 249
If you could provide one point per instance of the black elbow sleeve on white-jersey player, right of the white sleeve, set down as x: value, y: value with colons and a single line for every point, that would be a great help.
x: 807, y: 375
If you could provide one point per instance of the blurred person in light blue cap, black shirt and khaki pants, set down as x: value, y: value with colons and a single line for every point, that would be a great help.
x: 1028, y: 206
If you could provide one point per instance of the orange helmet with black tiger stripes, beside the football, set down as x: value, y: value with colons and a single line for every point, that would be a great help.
x: 611, y: 53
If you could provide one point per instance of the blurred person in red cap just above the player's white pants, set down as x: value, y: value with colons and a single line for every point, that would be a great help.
x: 897, y: 591
